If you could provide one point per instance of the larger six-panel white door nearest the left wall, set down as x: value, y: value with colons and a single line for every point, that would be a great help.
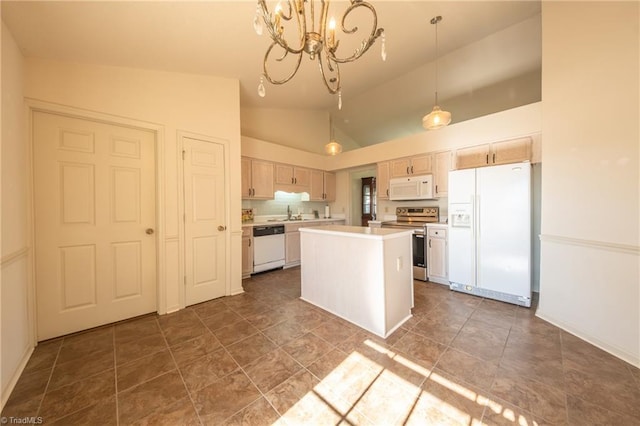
x: 94, y: 204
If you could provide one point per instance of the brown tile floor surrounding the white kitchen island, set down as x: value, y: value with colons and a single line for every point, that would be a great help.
x: 265, y: 357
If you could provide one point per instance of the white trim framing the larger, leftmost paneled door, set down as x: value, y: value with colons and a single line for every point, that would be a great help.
x: 36, y: 105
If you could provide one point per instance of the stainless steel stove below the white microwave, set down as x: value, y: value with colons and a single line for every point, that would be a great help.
x: 416, y: 218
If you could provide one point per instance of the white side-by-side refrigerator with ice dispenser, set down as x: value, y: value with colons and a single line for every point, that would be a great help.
x: 490, y: 232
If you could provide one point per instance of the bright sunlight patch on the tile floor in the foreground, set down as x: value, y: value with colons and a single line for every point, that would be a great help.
x: 360, y: 390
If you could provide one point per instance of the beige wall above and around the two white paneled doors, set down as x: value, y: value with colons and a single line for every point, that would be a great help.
x: 172, y: 102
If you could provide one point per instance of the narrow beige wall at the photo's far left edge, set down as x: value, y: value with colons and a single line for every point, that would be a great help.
x: 16, y: 326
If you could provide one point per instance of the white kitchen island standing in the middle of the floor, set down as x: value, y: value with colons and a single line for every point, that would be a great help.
x: 361, y: 274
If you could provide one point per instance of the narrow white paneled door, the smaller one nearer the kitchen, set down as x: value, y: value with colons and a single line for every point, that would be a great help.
x: 205, y: 224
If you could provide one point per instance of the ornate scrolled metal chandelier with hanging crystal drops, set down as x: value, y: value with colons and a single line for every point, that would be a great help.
x: 318, y: 41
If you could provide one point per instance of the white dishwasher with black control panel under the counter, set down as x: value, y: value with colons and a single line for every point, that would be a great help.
x: 268, y: 247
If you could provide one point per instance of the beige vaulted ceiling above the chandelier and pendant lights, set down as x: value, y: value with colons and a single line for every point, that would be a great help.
x: 489, y: 55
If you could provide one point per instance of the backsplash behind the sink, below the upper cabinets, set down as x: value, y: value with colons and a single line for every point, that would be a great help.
x: 298, y: 202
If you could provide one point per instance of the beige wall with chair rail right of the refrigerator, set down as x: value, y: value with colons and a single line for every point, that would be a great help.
x: 590, y: 186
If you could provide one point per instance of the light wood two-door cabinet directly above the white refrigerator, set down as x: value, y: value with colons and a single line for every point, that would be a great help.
x: 511, y: 151
